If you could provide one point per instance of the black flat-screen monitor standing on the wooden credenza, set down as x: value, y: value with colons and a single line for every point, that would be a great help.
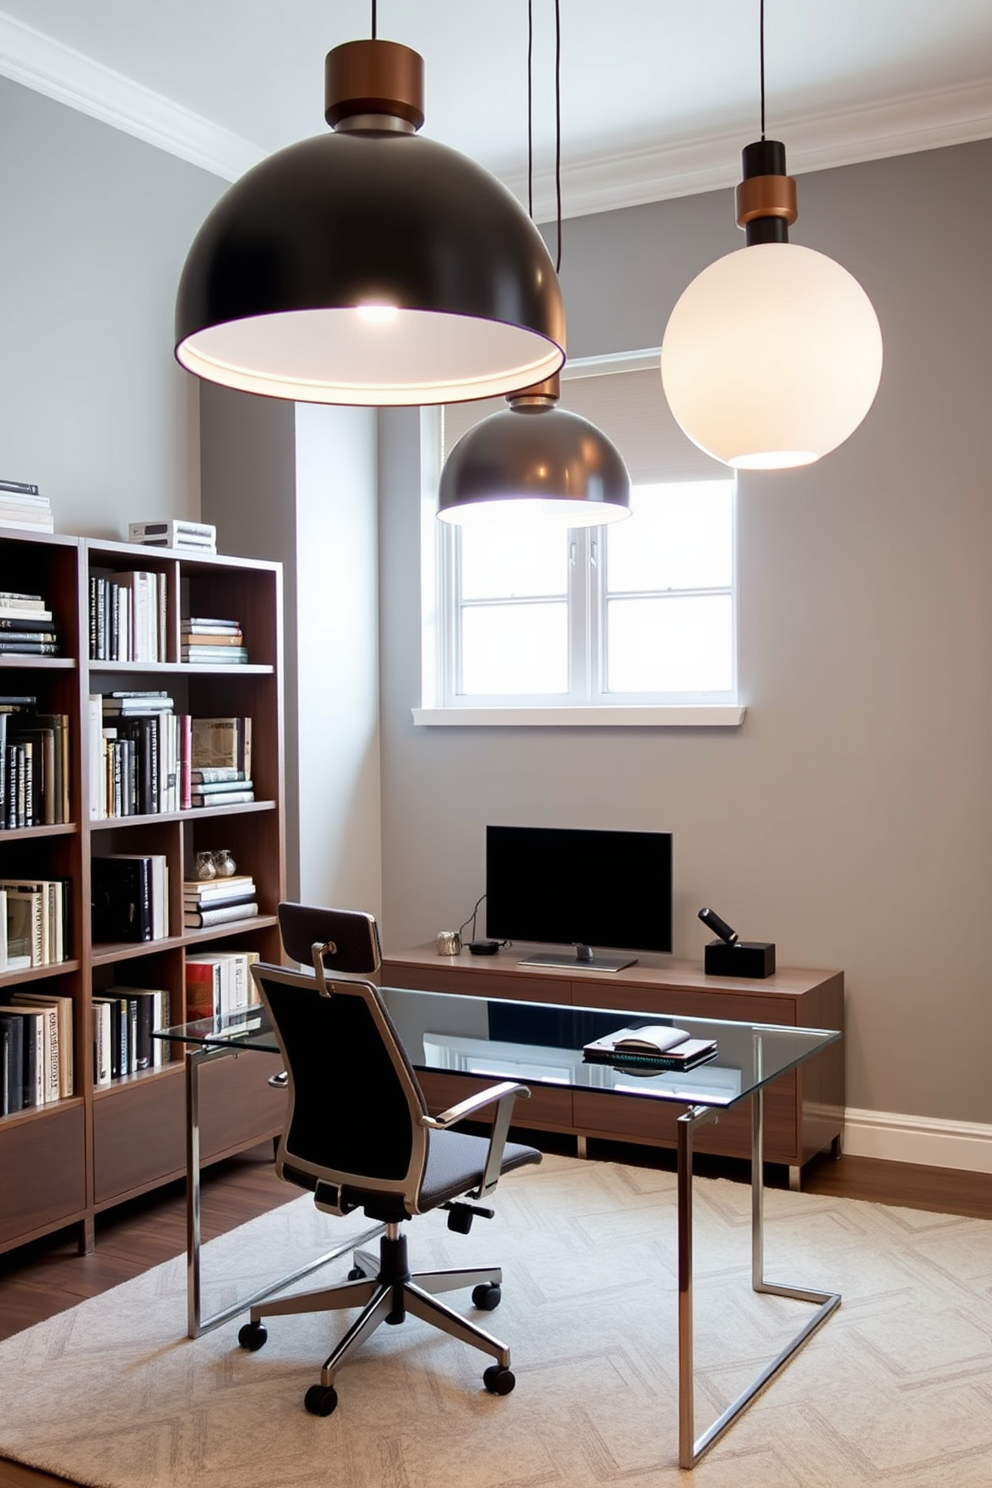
x: 569, y: 886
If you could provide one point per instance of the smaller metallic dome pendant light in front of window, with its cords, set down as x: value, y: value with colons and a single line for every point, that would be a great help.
x: 561, y: 466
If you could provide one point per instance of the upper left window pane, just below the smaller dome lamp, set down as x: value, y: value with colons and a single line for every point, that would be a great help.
x: 512, y: 560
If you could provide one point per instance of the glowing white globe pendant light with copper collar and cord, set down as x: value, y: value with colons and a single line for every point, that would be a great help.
x: 773, y: 356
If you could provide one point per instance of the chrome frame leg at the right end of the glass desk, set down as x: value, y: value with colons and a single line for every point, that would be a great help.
x: 692, y: 1449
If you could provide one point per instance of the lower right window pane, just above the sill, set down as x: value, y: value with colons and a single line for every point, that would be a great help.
x: 670, y: 645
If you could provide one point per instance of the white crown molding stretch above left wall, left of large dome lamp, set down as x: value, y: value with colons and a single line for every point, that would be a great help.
x: 38, y: 62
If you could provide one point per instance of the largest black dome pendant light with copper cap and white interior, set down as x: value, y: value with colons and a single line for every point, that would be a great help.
x: 370, y: 266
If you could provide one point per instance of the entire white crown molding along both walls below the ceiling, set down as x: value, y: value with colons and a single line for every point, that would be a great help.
x: 603, y: 184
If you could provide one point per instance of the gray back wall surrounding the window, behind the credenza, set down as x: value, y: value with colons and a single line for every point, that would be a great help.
x: 850, y: 818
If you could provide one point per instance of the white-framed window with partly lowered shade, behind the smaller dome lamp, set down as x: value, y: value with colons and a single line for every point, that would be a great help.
x: 640, y: 615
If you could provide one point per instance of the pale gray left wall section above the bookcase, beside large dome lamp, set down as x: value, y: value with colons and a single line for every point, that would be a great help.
x: 93, y: 405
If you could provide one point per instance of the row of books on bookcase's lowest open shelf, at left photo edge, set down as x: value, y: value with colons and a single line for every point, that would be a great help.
x: 36, y: 1050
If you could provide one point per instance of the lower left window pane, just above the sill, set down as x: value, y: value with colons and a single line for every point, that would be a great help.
x: 515, y: 648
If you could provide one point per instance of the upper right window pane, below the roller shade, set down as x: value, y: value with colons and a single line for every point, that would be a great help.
x: 679, y: 538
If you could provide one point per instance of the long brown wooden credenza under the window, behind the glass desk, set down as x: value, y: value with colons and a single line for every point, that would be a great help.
x: 804, y: 1111
